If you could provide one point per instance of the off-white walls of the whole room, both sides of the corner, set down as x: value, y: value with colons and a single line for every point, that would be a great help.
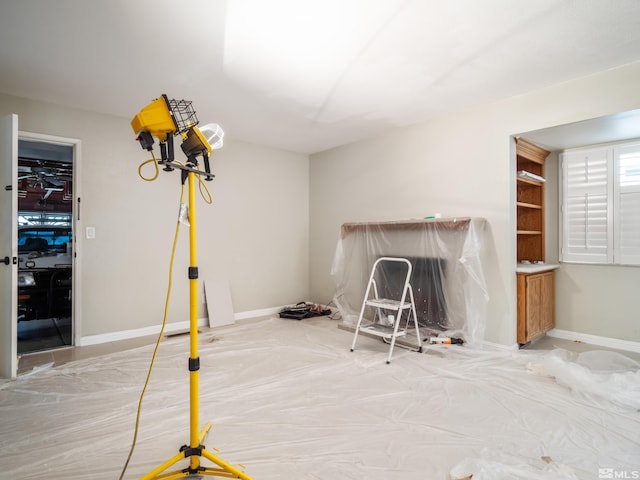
x: 276, y: 216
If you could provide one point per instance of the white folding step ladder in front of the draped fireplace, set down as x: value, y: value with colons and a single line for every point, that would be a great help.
x: 384, y: 324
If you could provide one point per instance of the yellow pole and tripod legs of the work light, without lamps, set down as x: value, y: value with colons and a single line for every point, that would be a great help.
x: 195, y: 450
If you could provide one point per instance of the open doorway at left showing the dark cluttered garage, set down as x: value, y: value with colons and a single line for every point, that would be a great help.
x: 45, y: 245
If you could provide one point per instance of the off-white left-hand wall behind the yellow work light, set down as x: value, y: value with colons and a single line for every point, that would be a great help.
x: 255, y: 234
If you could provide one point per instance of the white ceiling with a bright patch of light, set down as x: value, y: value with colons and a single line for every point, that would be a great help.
x: 306, y: 75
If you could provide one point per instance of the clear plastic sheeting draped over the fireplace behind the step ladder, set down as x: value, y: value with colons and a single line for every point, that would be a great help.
x: 448, y: 279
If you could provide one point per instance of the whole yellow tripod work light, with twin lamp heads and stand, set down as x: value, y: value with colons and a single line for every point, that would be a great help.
x: 164, y: 118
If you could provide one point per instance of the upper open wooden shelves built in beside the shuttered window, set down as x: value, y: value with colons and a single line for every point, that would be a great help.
x: 530, y: 200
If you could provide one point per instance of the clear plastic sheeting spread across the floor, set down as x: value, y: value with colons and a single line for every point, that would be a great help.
x: 288, y: 400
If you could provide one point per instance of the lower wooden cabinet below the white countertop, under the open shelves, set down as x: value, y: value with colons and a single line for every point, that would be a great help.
x: 536, y: 304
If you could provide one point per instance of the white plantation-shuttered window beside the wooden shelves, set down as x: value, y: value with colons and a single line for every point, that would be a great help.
x: 600, y: 207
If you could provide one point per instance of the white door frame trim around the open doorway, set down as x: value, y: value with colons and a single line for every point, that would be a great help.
x: 76, y: 287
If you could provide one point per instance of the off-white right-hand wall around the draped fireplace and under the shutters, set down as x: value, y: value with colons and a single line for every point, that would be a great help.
x: 463, y: 164
